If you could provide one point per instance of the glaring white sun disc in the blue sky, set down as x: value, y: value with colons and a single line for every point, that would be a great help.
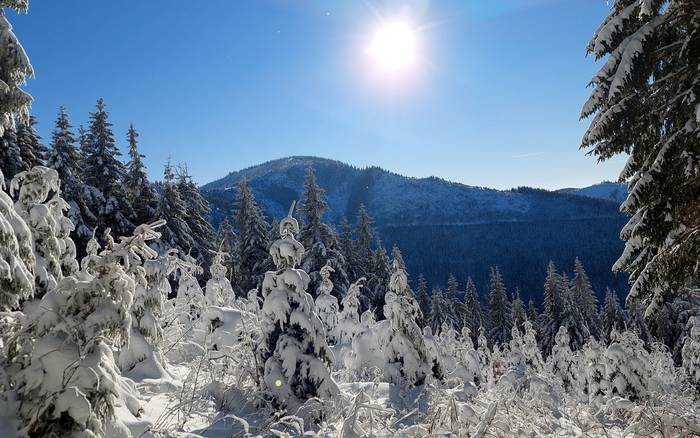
x: 393, y: 47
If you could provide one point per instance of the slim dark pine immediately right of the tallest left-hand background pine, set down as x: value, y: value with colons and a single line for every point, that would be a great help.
x: 139, y: 191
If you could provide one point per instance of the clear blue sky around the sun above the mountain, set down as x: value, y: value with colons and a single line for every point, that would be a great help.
x: 225, y: 84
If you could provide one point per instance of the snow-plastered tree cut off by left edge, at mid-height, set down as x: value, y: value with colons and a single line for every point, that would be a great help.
x: 16, y: 255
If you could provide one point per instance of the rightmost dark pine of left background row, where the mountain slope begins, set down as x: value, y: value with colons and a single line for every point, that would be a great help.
x: 197, y: 218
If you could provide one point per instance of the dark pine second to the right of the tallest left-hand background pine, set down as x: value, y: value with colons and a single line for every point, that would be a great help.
x: 176, y: 233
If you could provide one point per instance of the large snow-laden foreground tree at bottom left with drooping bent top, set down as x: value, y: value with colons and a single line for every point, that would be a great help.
x: 69, y: 384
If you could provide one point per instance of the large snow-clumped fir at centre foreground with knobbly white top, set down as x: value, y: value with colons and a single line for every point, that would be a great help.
x: 293, y: 354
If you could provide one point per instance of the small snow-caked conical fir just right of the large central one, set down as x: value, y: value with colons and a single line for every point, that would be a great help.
x: 407, y: 357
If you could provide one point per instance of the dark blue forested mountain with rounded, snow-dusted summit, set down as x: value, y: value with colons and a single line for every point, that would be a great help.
x: 444, y: 227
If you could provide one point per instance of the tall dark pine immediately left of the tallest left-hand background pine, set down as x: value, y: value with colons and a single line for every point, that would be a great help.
x: 65, y: 158
